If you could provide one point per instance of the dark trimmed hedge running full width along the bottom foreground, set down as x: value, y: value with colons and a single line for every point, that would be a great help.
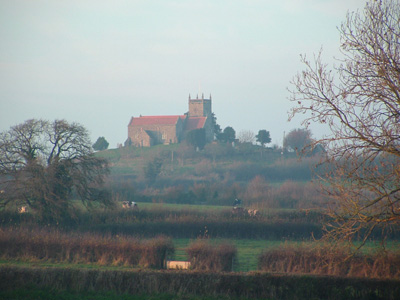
x: 248, y: 286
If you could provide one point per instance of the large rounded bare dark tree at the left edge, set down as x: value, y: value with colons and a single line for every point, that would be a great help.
x: 46, y: 164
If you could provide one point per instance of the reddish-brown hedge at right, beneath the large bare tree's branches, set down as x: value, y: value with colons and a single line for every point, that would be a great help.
x: 323, y: 259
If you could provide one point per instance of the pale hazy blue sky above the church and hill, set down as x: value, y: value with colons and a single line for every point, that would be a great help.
x: 100, y: 62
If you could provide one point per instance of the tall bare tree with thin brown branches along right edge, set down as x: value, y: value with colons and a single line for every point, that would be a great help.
x: 359, y: 99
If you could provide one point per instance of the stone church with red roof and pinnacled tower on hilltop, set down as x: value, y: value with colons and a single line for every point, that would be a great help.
x: 147, y: 131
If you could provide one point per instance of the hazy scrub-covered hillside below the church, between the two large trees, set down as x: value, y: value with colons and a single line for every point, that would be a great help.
x: 268, y: 177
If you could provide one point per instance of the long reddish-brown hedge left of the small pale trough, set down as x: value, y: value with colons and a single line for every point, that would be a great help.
x: 51, y: 245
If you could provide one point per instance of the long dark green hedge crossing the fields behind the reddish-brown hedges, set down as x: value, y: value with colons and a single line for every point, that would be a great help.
x: 185, y: 224
